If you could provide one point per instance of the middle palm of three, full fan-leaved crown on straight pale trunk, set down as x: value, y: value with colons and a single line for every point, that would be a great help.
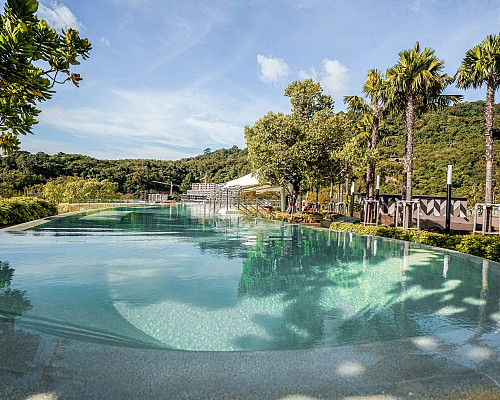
x: 415, y: 85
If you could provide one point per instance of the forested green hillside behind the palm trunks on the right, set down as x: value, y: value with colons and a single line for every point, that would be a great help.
x: 454, y: 136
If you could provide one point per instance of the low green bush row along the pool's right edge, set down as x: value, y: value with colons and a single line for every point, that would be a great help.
x: 475, y: 244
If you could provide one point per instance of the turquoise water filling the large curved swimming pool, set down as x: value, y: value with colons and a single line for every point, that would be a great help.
x: 177, y: 277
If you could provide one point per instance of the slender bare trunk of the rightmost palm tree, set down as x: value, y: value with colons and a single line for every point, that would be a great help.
x: 488, y: 196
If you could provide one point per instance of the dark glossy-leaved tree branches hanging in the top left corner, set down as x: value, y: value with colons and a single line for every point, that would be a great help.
x: 33, y: 56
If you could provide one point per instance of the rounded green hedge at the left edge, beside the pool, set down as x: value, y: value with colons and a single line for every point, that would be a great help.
x: 17, y: 210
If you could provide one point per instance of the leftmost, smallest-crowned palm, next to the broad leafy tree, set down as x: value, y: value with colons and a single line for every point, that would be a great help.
x: 374, y: 91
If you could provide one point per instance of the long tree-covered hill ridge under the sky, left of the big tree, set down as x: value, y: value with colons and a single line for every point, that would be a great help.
x: 22, y: 170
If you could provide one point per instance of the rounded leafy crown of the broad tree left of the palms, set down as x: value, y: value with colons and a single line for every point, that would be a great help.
x: 298, y: 149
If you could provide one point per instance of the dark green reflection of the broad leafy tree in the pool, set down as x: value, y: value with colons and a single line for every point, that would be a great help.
x: 296, y: 272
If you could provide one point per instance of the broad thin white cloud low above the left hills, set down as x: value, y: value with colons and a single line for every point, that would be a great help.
x: 152, y: 123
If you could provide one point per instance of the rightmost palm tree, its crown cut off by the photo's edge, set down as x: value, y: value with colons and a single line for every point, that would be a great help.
x: 481, y: 65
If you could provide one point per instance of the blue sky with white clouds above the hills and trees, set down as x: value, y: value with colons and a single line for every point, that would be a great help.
x: 167, y: 79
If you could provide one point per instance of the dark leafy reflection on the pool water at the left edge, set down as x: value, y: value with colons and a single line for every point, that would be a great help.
x: 13, y: 302
